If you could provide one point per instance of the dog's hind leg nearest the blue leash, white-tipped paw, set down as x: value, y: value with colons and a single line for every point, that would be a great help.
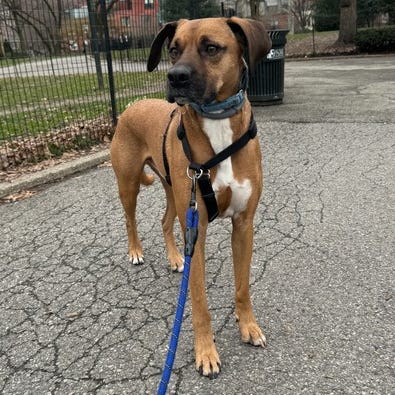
x: 175, y: 258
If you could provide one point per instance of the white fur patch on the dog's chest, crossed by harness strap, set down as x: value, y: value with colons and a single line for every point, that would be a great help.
x: 220, y: 135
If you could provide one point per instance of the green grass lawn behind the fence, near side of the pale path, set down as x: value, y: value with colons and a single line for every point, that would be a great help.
x: 33, y: 105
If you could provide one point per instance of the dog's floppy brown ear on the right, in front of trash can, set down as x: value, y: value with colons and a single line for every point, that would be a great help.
x: 253, y: 37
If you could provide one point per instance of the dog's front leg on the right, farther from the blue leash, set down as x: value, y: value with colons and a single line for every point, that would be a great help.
x: 242, y: 244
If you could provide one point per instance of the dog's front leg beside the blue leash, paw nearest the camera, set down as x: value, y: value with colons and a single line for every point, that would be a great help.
x: 206, y: 356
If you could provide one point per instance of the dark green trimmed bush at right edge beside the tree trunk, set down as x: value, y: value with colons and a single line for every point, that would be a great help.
x: 374, y: 40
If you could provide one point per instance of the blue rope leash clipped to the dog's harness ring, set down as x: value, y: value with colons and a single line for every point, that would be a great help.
x: 191, y: 232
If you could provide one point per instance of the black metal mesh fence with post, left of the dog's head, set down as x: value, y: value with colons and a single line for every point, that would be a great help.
x: 67, y: 68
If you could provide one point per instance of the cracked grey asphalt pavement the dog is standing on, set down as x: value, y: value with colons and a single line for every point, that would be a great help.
x: 77, y: 318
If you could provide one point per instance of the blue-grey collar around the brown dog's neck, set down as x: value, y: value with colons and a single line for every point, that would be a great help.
x: 228, y: 107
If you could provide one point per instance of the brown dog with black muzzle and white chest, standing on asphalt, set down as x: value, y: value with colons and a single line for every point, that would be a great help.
x: 208, y: 65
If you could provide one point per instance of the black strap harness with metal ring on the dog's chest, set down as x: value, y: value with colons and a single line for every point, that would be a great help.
x: 203, y: 170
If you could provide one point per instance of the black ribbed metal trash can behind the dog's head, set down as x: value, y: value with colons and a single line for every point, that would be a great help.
x: 266, y: 84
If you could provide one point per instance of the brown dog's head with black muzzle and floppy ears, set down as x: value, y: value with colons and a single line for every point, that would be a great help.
x: 207, y: 56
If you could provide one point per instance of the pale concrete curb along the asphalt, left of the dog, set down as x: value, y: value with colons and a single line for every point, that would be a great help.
x: 54, y: 173
